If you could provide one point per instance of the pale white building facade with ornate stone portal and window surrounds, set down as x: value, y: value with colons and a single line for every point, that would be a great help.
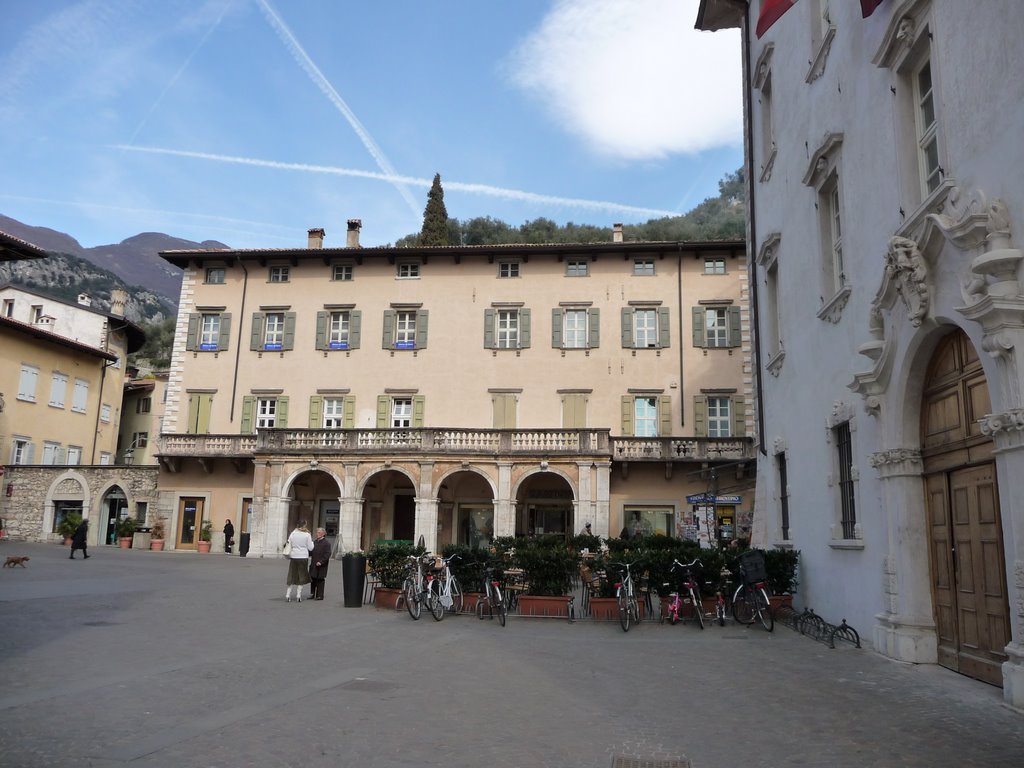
x: 887, y: 199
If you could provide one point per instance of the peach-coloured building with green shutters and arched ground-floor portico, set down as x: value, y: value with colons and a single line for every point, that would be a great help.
x: 456, y: 394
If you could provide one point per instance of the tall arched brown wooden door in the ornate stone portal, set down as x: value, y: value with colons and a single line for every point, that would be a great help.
x: 969, y: 580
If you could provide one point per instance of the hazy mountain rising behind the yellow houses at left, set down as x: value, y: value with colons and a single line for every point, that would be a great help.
x: 136, y: 261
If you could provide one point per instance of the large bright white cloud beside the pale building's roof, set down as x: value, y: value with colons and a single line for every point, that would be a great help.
x: 633, y: 78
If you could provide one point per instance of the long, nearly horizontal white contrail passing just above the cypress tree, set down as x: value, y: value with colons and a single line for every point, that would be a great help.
x: 494, y: 192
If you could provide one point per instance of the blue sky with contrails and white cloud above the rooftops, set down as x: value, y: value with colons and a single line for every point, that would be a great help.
x: 251, y: 121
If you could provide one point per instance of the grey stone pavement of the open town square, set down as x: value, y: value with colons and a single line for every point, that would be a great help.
x: 181, y: 660
